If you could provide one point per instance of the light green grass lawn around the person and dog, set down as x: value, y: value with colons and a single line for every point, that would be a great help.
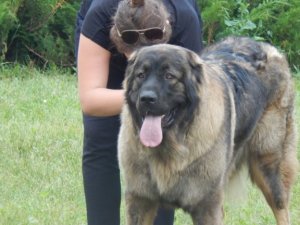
x: 40, y: 155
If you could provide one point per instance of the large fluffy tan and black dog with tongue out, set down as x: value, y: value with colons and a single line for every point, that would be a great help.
x: 190, y: 123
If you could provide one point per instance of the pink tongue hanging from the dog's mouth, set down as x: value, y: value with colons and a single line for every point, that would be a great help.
x: 151, y: 132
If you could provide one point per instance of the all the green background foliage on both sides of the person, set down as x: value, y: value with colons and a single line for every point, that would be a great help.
x: 42, y: 31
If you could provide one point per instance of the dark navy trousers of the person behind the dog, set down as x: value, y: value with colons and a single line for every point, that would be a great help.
x: 101, y: 173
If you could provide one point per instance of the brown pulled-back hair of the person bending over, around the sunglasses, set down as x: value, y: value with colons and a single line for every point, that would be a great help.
x: 139, y: 14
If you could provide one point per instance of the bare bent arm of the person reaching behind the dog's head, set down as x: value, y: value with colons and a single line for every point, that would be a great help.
x: 93, y: 71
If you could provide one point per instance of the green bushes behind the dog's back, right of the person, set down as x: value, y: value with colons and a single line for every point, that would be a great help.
x: 274, y: 21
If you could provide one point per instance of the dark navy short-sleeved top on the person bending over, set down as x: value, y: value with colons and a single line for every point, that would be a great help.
x: 186, y: 30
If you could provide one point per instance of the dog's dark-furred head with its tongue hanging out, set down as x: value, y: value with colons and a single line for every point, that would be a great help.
x: 161, y: 88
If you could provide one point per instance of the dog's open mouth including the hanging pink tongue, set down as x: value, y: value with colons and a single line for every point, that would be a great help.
x: 151, y: 133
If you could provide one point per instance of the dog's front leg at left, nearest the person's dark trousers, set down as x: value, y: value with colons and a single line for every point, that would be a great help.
x: 139, y: 211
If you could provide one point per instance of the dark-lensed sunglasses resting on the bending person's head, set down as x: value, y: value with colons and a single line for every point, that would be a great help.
x: 132, y: 36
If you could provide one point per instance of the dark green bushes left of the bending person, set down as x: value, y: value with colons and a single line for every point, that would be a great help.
x: 40, y: 31
